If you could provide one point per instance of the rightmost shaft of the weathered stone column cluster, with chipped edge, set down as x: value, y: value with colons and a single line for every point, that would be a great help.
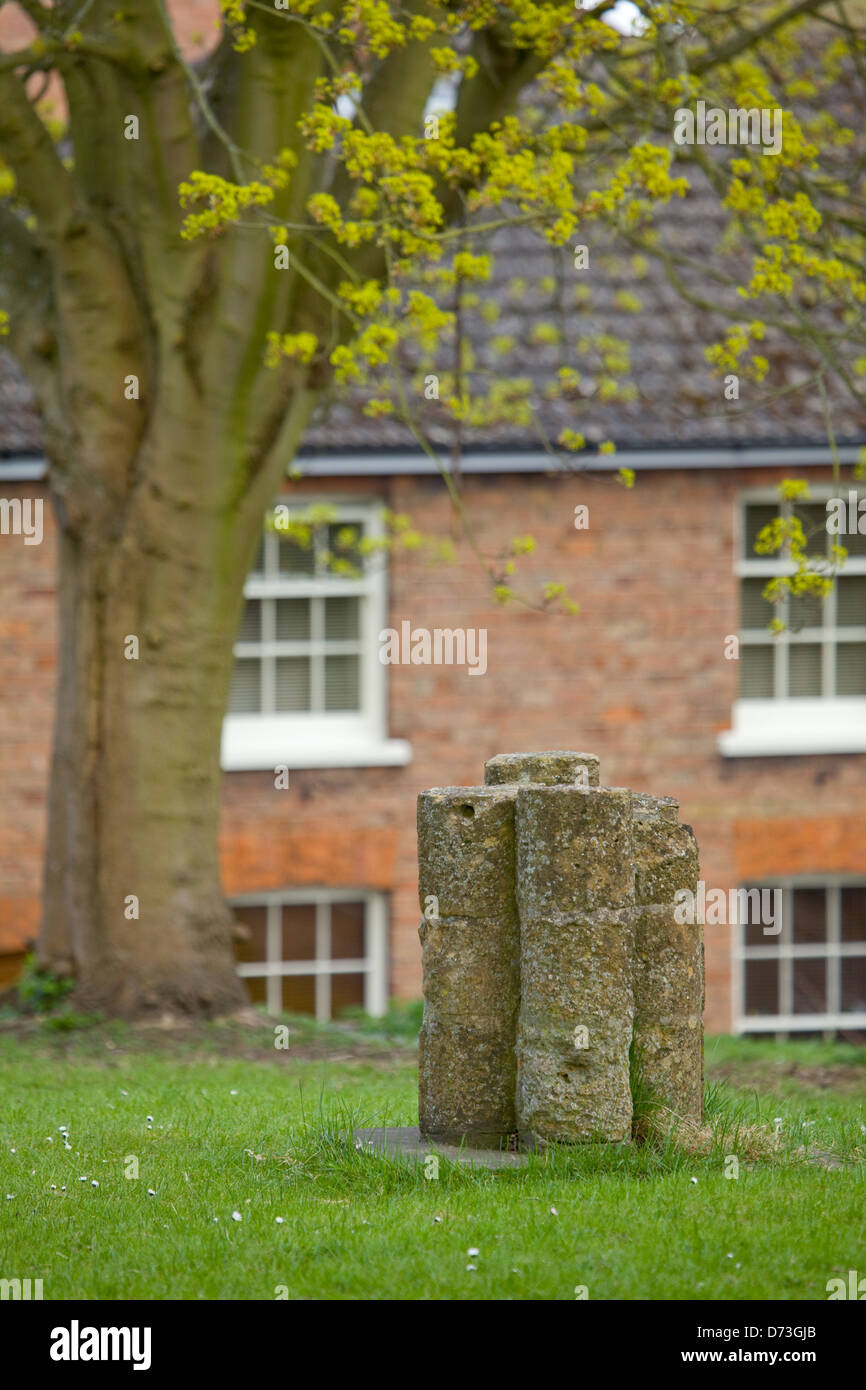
x: 668, y: 960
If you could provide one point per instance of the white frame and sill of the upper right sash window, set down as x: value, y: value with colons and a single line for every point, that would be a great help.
x: 785, y: 725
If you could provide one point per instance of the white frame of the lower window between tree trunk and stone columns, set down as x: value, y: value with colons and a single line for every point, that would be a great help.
x: 373, y: 965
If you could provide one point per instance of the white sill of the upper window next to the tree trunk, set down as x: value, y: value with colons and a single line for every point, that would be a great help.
x: 255, y: 743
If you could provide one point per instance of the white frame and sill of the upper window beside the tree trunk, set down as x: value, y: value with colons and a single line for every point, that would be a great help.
x: 256, y: 742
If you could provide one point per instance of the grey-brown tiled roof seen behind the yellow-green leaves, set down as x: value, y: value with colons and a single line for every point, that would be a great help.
x: 679, y: 404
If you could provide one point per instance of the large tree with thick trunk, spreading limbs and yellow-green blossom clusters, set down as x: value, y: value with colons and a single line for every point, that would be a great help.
x: 193, y: 252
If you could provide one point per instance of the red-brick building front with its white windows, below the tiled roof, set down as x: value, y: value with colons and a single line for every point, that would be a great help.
x: 772, y: 783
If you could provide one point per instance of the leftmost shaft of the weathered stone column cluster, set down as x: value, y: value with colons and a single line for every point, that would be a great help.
x: 471, y: 946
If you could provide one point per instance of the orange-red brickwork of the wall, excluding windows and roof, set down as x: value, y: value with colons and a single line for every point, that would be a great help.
x: 639, y: 678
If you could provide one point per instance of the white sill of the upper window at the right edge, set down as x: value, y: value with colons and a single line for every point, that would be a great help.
x: 796, y: 728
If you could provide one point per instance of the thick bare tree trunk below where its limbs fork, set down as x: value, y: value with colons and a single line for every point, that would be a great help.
x: 148, y: 618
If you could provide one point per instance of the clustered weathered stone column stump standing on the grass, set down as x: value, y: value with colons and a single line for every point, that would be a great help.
x: 555, y: 968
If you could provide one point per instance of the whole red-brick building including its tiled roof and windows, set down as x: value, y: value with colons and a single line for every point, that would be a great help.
x: 765, y: 750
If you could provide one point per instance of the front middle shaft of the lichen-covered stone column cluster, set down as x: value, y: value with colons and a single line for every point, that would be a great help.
x: 576, y: 901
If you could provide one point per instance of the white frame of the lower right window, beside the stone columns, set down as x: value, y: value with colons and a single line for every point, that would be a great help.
x: 786, y: 951
